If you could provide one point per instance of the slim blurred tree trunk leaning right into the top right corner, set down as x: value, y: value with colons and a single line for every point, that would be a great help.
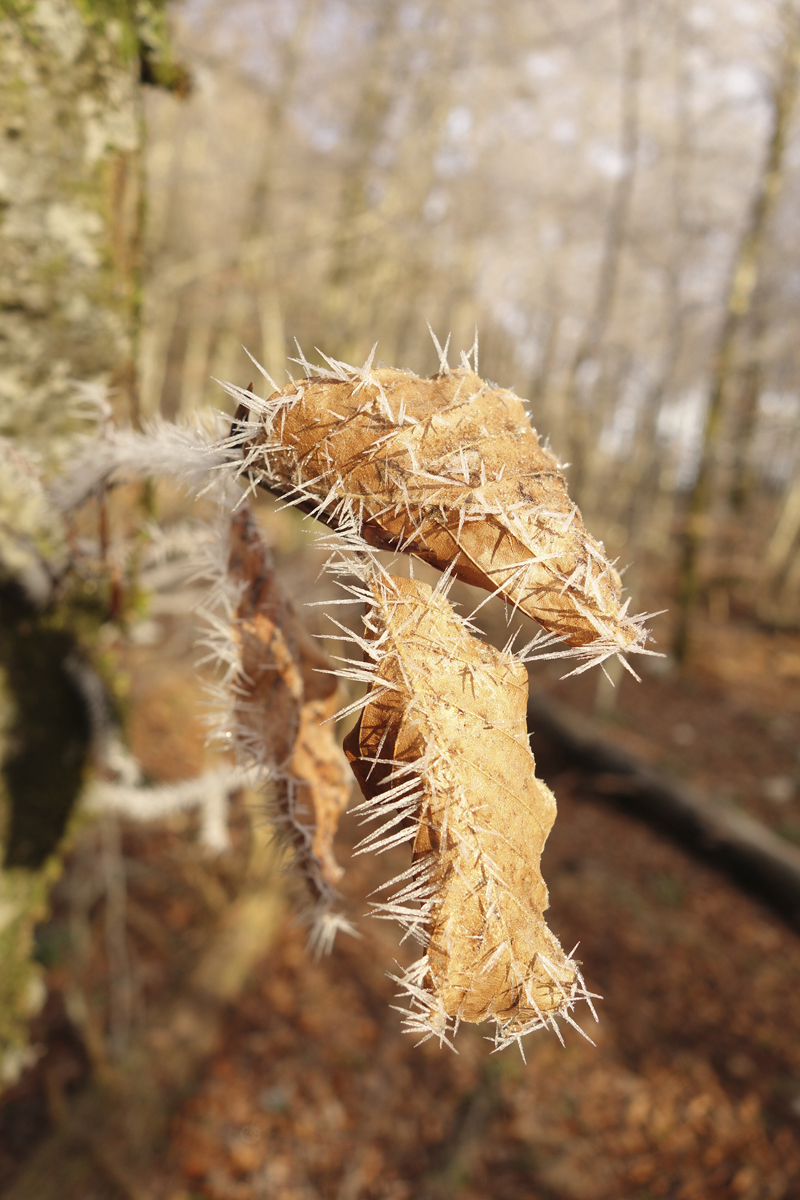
x: 739, y: 305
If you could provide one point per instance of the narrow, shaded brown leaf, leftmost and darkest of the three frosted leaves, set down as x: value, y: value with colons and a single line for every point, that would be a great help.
x: 284, y: 692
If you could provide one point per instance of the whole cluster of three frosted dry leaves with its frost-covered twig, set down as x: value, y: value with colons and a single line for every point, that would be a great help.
x: 449, y: 471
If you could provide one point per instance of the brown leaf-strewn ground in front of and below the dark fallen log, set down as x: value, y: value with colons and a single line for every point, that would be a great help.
x: 693, y: 1090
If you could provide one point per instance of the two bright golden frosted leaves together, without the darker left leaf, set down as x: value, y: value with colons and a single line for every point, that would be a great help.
x: 450, y: 471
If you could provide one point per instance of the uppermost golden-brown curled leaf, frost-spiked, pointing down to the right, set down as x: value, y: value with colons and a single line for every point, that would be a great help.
x: 449, y: 470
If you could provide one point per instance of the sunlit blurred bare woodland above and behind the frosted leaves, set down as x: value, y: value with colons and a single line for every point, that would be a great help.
x: 607, y: 194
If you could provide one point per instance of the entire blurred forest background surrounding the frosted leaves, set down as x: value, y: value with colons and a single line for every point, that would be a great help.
x: 610, y: 194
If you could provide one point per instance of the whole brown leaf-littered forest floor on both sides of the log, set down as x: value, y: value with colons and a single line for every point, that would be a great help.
x: 312, y: 1093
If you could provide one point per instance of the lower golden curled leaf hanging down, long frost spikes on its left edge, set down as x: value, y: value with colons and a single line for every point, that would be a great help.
x: 441, y: 752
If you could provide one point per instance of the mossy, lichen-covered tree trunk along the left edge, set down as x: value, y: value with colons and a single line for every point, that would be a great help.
x: 70, y: 233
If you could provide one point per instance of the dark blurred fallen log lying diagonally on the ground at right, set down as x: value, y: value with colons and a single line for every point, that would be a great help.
x: 756, y: 859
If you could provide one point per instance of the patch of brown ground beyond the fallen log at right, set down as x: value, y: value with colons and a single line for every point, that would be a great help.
x: 730, y: 723
